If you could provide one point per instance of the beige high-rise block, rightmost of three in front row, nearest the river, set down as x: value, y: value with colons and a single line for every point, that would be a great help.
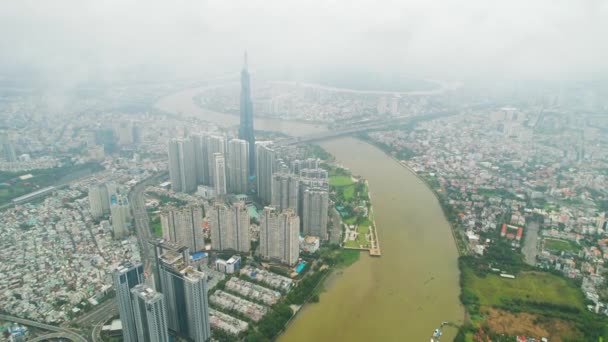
x: 279, y: 235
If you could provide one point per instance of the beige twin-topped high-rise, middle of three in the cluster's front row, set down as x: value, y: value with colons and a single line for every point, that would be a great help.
x: 230, y: 226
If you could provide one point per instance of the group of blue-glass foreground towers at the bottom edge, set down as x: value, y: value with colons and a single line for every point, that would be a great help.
x: 179, y: 304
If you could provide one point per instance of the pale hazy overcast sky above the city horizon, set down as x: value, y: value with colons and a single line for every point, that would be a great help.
x: 74, y: 40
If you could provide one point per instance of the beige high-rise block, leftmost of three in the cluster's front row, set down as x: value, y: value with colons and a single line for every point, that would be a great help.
x: 184, y: 226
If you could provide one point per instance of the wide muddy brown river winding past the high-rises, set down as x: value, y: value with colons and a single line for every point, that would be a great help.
x: 403, y: 295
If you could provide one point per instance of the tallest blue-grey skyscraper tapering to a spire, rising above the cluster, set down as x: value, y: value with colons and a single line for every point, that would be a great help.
x: 246, y: 127
